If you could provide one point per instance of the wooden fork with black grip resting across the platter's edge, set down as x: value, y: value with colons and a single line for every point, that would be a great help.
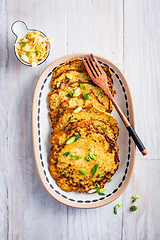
x: 99, y: 77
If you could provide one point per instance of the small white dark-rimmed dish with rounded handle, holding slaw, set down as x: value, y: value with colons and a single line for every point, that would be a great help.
x: 20, y: 30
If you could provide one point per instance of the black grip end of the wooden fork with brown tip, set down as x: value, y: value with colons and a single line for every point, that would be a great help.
x: 137, y: 140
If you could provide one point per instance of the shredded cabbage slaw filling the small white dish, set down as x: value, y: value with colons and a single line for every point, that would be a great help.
x: 33, y: 48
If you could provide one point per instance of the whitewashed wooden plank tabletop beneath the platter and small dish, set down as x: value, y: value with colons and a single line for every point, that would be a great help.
x: 128, y: 34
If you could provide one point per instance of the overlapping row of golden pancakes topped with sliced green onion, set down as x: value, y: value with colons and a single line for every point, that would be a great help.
x: 84, y: 155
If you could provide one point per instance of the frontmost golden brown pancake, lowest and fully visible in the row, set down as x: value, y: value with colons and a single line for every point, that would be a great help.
x: 66, y: 170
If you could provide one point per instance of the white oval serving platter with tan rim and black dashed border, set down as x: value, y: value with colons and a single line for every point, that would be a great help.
x: 42, y: 133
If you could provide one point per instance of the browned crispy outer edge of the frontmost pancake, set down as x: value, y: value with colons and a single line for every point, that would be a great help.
x: 62, y: 180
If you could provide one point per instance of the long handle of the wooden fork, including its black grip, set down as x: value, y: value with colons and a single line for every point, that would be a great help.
x: 130, y: 129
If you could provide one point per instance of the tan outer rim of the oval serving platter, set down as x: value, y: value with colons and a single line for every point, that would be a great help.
x: 125, y: 184
